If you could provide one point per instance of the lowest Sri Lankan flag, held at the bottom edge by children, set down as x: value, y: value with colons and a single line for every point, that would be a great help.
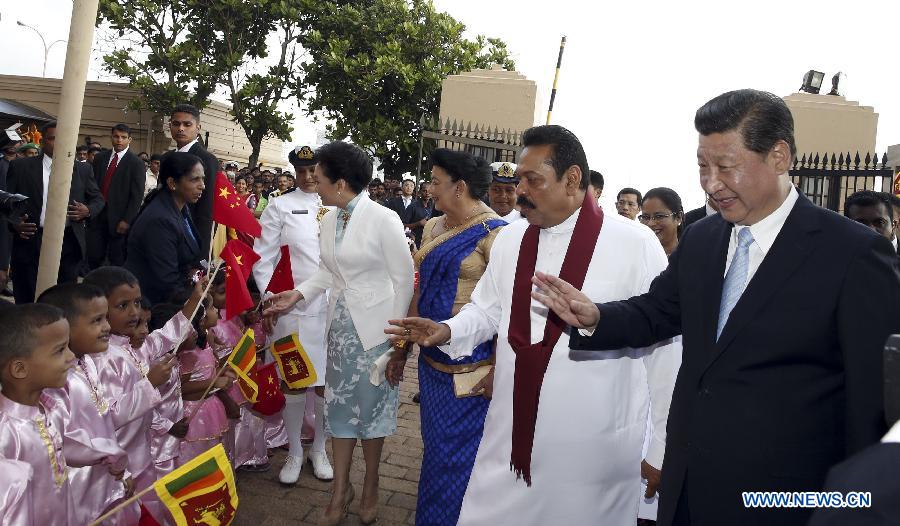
x: 201, y: 491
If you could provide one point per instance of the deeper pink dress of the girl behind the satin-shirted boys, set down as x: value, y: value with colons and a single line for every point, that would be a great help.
x: 208, y: 421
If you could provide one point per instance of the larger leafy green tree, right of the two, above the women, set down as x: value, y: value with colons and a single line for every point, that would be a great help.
x: 376, y: 67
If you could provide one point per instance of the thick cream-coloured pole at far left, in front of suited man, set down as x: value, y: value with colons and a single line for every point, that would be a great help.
x: 78, y: 55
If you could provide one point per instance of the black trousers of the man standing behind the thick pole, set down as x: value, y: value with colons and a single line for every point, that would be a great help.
x: 24, y: 264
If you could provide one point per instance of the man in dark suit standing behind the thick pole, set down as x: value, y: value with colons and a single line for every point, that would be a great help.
x: 31, y: 177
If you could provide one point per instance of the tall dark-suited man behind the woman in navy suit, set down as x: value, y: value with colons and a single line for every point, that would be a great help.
x: 184, y: 123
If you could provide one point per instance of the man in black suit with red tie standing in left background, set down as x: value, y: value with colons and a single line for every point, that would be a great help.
x: 120, y: 175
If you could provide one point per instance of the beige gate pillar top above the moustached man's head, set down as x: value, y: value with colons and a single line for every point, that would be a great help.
x: 489, y: 97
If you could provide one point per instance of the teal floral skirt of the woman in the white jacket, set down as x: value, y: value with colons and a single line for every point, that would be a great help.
x: 354, y: 408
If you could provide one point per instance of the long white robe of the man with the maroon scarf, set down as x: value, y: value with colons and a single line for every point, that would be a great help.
x: 593, y: 408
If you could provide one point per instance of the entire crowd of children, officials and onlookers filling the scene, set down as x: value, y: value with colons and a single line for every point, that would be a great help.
x: 574, y: 365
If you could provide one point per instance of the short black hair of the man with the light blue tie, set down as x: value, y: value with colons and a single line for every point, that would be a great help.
x: 761, y: 118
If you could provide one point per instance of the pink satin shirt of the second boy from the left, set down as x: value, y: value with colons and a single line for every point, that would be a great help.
x: 92, y: 489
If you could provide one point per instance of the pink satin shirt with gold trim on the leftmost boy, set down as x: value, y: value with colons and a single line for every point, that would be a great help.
x: 42, y: 437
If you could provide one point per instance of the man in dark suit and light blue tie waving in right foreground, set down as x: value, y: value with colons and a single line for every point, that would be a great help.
x: 784, y: 309
